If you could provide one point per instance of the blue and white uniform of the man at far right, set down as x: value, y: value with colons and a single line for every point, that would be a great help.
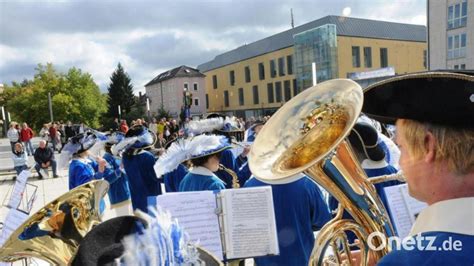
x: 449, y: 221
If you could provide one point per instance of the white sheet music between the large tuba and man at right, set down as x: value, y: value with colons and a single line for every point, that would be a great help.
x: 403, y: 207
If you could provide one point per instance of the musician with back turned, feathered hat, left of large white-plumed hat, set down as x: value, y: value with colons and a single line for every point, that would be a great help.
x: 138, y: 164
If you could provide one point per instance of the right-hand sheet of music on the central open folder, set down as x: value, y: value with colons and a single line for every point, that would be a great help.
x: 249, y: 222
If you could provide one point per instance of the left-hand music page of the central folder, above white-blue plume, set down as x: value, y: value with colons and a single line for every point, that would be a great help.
x: 196, y: 213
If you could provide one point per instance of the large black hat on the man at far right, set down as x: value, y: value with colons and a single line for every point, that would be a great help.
x: 438, y: 97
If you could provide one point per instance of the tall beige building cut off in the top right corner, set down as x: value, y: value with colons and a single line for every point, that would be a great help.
x: 451, y: 34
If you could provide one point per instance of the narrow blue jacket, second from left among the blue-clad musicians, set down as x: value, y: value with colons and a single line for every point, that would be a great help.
x: 118, y: 190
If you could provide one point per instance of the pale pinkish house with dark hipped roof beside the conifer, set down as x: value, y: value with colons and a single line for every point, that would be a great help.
x: 167, y: 91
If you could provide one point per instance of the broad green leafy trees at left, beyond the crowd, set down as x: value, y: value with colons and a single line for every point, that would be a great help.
x: 75, y: 97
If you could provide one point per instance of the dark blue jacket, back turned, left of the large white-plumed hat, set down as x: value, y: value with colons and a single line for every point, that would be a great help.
x: 142, y: 179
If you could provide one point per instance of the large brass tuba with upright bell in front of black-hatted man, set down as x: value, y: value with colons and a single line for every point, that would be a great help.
x: 307, y: 135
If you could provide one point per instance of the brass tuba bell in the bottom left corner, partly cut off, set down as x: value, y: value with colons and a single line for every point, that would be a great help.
x: 55, y: 231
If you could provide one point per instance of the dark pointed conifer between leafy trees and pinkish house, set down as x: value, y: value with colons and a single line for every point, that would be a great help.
x: 120, y: 93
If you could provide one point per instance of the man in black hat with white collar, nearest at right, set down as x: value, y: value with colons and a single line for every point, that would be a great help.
x: 434, y: 113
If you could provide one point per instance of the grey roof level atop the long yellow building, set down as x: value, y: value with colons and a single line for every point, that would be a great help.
x: 345, y: 26
